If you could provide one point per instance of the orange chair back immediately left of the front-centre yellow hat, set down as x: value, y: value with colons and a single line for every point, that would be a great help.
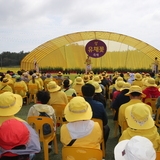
x: 59, y: 110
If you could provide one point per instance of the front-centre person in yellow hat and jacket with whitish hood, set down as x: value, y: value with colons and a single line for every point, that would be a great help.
x: 80, y: 131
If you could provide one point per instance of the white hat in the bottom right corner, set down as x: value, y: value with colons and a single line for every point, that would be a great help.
x: 137, y: 148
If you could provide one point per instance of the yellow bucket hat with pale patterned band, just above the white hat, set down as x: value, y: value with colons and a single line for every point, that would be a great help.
x: 138, y: 116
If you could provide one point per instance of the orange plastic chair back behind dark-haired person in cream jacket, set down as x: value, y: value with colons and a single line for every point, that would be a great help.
x: 37, y: 122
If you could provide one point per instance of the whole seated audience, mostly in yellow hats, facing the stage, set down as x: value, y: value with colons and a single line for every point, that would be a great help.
x: 86, y: 97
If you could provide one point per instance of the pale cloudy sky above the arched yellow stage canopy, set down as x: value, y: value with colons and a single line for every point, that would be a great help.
x: 26, y: 24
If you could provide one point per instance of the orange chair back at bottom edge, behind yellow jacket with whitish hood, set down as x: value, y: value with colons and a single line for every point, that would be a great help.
x: 79, y: 153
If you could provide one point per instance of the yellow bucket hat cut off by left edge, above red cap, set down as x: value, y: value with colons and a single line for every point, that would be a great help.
x: 10, y: 103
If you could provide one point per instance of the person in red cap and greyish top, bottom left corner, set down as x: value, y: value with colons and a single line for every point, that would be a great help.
x: 20, y: 141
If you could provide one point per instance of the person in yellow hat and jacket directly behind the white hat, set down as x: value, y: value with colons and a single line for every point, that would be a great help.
x: 141, y: 123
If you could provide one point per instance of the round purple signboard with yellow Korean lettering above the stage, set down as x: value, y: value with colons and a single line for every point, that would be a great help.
x: 96, y: 48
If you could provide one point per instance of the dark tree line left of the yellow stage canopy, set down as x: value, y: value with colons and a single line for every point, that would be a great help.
x: 11, y: 58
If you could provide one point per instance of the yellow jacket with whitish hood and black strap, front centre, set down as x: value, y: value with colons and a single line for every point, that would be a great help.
x: 90, y: 140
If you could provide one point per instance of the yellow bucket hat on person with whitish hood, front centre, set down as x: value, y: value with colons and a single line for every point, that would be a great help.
x: 77, y: 109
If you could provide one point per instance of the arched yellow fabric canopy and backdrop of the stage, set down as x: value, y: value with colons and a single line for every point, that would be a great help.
x: 68, y: 51
